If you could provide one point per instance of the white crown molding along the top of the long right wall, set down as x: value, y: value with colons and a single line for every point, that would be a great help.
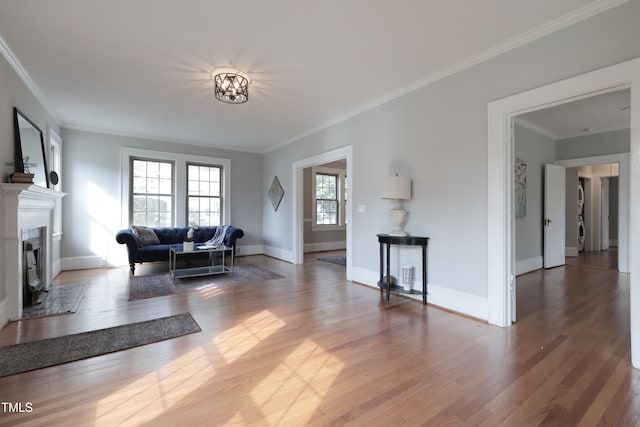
x: 550, y: 27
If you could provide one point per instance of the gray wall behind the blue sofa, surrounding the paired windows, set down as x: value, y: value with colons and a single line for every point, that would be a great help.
x: 92, y: 176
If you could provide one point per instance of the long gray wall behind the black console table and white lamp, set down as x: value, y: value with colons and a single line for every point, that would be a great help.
x: 438, y: 136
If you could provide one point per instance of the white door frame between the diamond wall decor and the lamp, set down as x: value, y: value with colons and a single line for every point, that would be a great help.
x: 298, y: 166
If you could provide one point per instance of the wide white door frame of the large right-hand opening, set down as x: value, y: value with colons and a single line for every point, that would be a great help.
x: 500, y: 270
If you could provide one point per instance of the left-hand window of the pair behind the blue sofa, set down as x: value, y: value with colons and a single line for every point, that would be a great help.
x: 151, y: 192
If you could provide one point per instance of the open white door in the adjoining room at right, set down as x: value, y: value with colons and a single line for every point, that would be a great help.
x: 554, y: 211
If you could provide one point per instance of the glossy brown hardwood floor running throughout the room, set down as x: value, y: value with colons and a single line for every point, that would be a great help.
x: 314, y: 349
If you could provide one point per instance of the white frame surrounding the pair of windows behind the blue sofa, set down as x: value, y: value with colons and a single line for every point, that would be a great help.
x: 180, y: 181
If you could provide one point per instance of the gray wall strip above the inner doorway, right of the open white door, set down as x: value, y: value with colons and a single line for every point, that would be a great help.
x: 600, y: 144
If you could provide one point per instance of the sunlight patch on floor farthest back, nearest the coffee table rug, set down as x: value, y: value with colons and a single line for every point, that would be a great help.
x: 236, y: 341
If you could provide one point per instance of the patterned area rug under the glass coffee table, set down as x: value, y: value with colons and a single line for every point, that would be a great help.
x: 156, y: 285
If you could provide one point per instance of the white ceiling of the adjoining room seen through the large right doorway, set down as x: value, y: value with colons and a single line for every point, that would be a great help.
x: 596, y: 114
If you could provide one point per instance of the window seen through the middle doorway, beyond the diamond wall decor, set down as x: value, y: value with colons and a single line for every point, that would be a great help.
x: 328, y: 198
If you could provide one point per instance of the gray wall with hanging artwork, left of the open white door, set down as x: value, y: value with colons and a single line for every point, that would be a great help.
x: 536, y: 150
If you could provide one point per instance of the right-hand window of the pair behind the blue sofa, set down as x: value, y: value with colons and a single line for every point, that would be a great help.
x: 204, y: 195
